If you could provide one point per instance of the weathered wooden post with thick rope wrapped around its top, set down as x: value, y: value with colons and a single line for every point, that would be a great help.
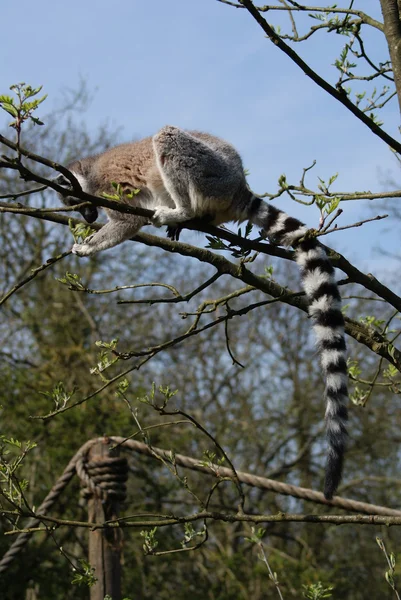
x: 105, y: 545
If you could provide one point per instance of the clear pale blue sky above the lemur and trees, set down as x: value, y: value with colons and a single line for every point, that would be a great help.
x: 204, y: 65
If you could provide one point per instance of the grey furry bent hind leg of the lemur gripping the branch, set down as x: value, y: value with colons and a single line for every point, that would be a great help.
x: 191, y: 171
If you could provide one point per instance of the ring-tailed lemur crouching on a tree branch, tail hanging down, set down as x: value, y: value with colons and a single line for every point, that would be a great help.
x: 184, y: 175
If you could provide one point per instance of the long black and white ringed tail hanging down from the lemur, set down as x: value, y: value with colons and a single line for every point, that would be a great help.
x: 328, y: 322
